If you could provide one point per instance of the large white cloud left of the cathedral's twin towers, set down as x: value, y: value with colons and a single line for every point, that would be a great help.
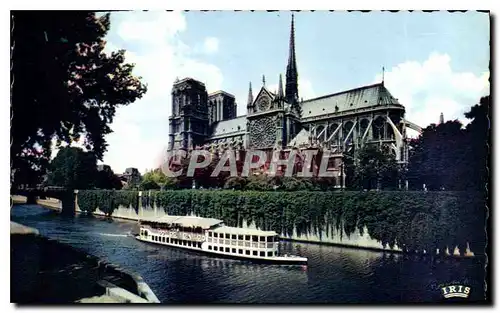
x: 152, y: 41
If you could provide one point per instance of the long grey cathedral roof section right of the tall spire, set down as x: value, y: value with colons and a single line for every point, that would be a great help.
x: 359, y: 98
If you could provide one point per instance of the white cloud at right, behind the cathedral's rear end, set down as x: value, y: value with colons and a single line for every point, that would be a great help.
x: 429, y: 88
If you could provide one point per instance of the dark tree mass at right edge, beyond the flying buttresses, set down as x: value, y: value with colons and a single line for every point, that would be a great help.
x: 449, y: 156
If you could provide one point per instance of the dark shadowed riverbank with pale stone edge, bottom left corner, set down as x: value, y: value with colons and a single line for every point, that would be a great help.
x: 45, y: 271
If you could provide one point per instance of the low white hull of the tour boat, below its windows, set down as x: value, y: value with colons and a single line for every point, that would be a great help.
x: 260, y: 259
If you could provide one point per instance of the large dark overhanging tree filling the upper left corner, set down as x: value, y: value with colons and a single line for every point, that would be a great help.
x: 63, y: 86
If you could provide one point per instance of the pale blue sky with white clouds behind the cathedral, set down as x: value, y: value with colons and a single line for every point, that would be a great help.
x: 434, y: 62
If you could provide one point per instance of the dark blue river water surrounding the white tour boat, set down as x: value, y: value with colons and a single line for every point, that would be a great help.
x: 333, y: 275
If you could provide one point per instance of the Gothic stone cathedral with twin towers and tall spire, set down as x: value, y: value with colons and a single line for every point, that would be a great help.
x: 282, y: 120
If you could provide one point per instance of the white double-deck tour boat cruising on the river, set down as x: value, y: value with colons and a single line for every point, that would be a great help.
x: 211, y: 236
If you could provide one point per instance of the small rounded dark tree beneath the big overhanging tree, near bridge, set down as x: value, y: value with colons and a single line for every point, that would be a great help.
x: 73, y: 168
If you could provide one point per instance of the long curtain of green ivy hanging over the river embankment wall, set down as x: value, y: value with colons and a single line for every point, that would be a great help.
x: 410, y: 220
